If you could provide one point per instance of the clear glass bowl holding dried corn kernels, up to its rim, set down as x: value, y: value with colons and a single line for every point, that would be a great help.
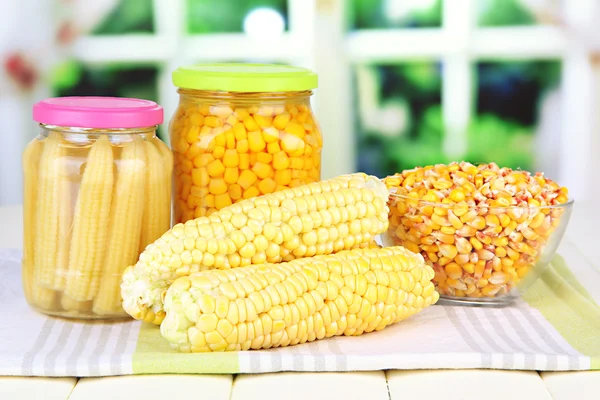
x: 482, y: 255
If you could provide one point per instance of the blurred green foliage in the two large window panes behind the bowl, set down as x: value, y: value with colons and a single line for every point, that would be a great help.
x: 501, y: 129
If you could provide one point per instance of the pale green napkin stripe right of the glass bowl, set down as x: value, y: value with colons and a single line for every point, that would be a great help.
x: 568, y: 306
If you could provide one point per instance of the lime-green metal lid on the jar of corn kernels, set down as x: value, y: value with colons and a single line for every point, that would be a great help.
x: 245, y: 78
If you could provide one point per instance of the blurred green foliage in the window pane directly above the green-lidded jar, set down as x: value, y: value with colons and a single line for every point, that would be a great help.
x: 212, y: 16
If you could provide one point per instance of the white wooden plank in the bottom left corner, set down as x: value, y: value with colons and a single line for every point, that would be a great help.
x: 17, y: 388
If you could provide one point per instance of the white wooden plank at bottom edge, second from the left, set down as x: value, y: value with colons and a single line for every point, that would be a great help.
x: 154, y: 387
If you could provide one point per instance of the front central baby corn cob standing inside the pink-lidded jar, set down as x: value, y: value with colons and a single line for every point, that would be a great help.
x: 90, y: 227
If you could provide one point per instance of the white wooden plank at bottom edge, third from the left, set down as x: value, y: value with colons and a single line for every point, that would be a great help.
x: 311, y: 385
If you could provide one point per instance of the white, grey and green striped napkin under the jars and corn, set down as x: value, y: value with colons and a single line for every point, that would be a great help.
x: 554, y: 326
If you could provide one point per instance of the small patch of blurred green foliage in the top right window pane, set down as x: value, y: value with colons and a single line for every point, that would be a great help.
x: 503, y: 13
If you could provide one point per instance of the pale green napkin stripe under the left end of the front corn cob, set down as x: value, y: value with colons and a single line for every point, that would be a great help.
x: 153, y: 355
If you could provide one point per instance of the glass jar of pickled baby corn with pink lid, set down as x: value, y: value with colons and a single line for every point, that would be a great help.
x: 97, y: 191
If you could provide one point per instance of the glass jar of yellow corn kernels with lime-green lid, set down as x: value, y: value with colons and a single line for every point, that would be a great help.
x: 240, y: 131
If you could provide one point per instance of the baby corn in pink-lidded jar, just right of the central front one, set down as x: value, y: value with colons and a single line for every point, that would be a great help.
x: 123, y: 243
